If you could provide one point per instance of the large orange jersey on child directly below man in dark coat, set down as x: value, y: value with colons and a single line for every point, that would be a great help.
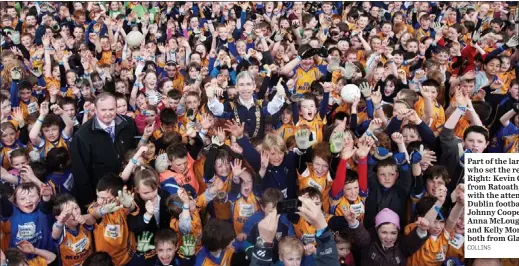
x: 111, y: 235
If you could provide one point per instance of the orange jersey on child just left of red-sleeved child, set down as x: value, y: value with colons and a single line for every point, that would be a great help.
x: 322, y: 183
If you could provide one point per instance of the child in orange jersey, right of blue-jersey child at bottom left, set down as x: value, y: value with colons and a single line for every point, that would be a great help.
x: 72, y: 231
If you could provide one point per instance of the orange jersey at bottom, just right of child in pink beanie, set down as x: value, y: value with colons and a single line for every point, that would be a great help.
x: 432, y: 253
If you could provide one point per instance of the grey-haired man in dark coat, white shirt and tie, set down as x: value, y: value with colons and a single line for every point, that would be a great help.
x: 99, y: 146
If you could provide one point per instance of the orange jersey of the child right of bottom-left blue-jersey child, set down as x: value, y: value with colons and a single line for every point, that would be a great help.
x: 75, y: 249
